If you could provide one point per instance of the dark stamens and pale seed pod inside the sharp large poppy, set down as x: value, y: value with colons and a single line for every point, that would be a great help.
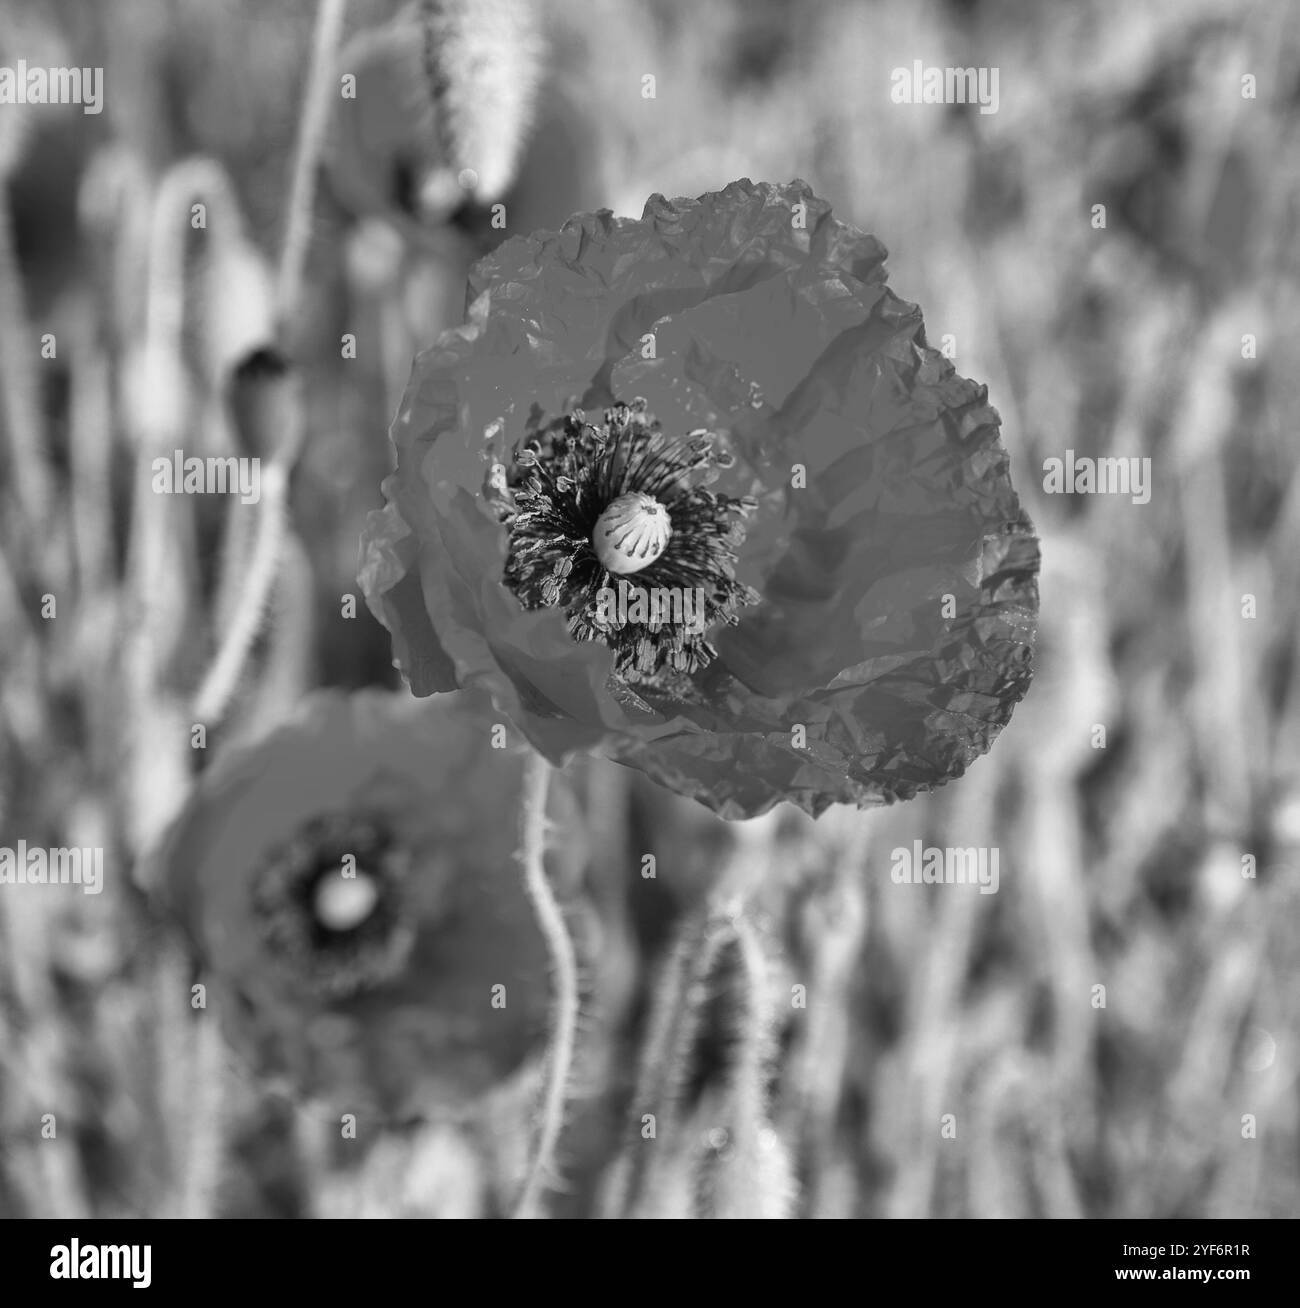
x: 589, y: 506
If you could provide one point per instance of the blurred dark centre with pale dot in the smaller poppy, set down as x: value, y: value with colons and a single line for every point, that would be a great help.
x: 332, y: 906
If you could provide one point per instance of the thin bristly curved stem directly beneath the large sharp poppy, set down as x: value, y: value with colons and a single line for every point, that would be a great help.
x: 564, y: 965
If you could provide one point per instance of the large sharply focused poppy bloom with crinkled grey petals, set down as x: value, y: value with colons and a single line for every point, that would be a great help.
x: 721, y: 398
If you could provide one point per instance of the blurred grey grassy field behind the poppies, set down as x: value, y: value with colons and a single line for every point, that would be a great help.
x: 1121, y: 867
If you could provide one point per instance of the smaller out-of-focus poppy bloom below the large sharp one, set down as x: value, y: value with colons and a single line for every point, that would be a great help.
x: 351, y: 890
